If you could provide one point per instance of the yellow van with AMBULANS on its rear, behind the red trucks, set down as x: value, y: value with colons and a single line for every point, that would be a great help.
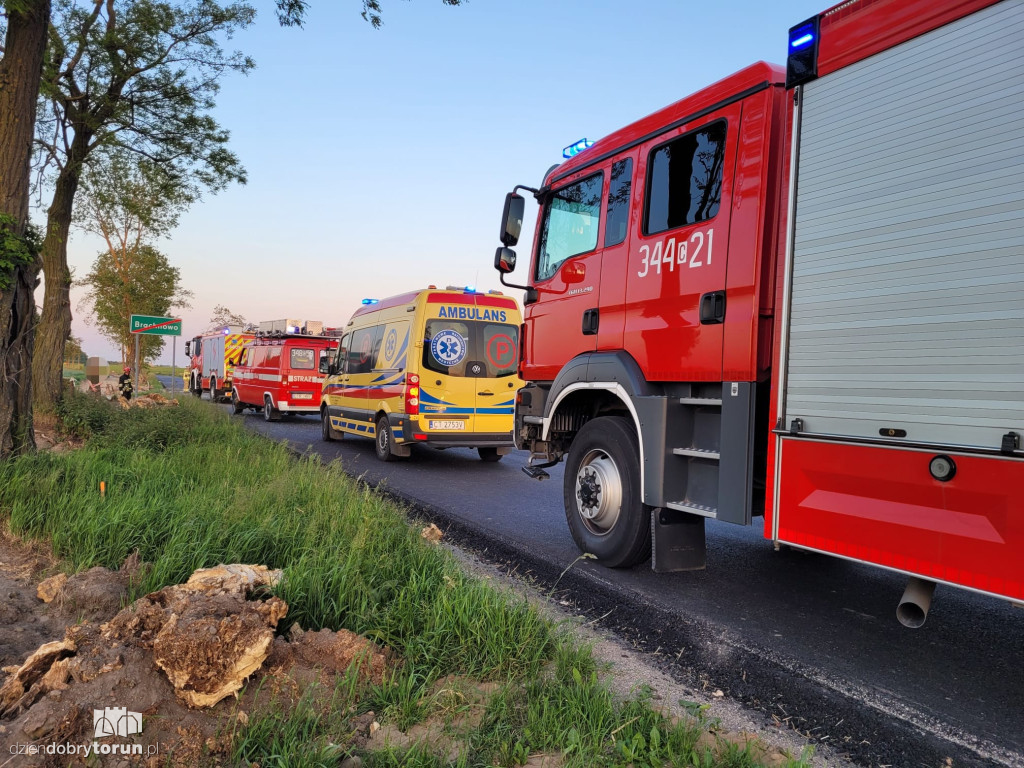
x: 432, y: 367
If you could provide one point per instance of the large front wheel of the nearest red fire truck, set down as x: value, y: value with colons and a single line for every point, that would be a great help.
x: 603, y: 494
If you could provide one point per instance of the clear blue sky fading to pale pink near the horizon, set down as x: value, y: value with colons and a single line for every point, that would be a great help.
x: 378, y: 160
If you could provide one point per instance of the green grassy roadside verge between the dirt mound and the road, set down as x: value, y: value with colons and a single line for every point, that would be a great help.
x: 189, y: 489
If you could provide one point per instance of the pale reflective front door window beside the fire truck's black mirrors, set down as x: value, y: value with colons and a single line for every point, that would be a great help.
x: 572, y: 218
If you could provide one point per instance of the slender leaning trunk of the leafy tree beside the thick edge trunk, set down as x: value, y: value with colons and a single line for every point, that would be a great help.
x: 55, y: 324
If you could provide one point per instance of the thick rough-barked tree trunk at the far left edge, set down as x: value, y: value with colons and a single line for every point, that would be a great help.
x: 21, y: 72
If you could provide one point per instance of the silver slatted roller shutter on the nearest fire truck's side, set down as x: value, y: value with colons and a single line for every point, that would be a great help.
x: 908, y: 303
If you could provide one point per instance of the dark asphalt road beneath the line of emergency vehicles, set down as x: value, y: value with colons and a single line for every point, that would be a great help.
x: 806, y: 639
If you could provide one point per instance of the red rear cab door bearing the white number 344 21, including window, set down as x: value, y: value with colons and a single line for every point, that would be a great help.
x: 675, y: 293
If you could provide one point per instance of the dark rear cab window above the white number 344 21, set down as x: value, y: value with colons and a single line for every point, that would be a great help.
x: 686, y: 180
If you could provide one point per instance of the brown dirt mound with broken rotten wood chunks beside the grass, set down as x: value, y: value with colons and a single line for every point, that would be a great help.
x: 170, y: 658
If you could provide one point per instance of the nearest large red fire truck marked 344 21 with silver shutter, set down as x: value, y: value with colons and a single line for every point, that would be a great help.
x: 798, y: 293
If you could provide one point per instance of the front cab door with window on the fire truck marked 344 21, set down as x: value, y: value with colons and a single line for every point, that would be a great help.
x: 565, y: 322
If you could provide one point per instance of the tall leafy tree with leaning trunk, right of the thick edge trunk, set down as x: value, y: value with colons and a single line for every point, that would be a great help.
x: 142, y: 76
